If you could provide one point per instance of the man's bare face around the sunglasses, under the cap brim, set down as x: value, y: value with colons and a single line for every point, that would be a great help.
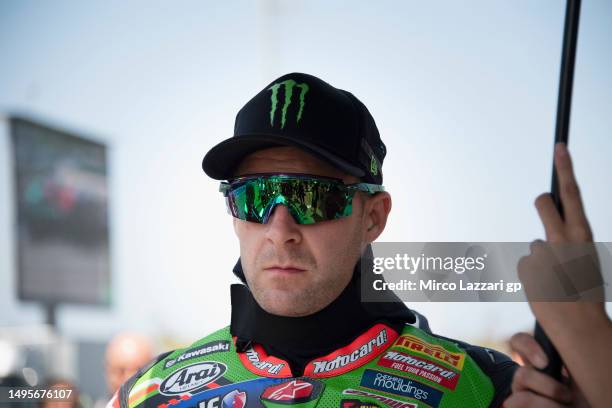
x: 293, y: 269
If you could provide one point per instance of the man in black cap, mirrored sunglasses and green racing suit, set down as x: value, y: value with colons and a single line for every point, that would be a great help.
x: 304, y: 172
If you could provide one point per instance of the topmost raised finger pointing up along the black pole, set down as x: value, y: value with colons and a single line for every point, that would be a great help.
x: 568, y: 188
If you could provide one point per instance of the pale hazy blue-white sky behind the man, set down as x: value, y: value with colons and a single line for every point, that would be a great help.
x: 464, y: 97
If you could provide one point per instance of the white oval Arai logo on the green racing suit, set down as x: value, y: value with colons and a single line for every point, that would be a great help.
x: 192, y: 377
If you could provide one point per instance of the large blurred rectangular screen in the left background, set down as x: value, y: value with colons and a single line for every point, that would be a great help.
x: 61, y: 193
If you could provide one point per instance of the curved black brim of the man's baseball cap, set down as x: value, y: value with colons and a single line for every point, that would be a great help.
x: 221, y: 161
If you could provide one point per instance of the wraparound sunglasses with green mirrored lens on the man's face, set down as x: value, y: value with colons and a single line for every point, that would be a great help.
x: 308, y: 198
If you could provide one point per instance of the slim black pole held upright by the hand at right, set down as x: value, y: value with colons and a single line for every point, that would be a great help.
x: 564, y: 104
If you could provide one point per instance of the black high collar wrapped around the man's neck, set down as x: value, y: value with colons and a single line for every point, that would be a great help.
x: 301, y: 339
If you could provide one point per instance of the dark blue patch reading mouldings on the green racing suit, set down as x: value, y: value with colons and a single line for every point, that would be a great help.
x: 403, y: 386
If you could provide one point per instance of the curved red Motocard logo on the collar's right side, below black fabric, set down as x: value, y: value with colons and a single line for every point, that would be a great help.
x: 362, y: 350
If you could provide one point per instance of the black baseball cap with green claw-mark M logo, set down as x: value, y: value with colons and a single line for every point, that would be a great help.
x: 303, y: 111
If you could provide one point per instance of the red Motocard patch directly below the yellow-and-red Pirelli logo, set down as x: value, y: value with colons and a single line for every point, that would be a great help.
x: 420, y: 367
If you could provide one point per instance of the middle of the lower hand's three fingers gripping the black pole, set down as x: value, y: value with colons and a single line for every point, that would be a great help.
x: 530, y: 379
